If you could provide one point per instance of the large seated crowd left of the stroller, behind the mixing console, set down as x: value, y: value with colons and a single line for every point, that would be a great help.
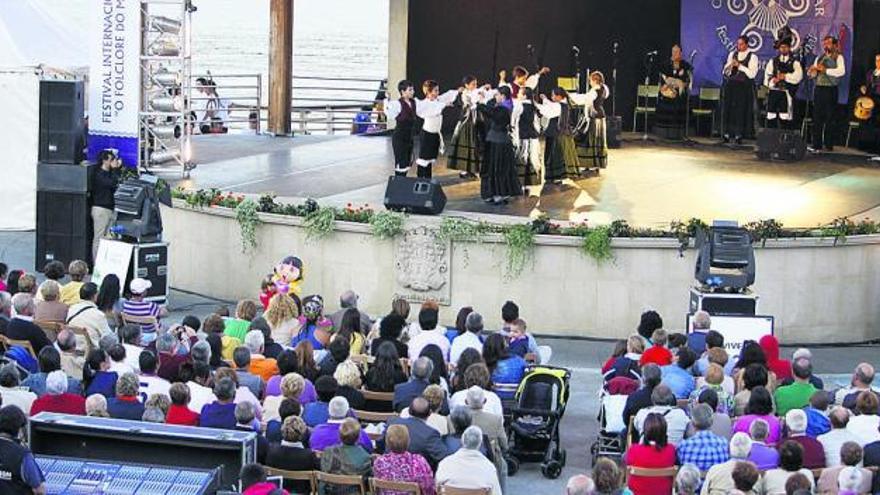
x: 392, y: 398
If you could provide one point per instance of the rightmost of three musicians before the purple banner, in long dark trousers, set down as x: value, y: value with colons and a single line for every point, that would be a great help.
x: 827, y: 71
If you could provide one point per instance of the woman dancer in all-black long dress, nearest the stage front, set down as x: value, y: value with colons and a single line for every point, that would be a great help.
x: 498, y: 175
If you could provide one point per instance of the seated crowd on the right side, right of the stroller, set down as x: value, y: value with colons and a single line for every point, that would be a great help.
x: 699, y: 422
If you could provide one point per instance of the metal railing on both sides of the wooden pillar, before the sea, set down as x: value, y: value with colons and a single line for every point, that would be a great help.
x: 319, y: 105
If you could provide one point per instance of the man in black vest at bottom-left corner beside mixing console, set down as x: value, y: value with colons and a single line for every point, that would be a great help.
x: 19, y: 472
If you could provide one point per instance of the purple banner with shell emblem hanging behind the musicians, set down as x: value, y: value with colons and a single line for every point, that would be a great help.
x: 710, y: 29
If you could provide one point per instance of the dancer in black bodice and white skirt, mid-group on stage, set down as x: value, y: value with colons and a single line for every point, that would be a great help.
x: 526, y: 133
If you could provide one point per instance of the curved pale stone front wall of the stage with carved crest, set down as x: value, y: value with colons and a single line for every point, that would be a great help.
x: 818, y: 292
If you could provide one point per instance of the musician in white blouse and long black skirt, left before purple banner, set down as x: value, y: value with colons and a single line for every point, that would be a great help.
x: 739, y: 90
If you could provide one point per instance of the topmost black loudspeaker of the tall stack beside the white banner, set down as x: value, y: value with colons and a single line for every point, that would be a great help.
x: 61, y: 122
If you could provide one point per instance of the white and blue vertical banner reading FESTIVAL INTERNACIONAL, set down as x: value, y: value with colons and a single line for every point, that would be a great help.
x: 114, y: 77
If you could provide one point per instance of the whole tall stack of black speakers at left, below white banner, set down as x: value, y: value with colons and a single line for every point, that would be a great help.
x: 63, y: 221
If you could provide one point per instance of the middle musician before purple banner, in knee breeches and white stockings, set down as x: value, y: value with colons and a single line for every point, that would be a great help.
x: 782, y: 76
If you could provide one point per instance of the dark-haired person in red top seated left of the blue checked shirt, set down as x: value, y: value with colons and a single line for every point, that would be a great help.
x: 654, y: 452
